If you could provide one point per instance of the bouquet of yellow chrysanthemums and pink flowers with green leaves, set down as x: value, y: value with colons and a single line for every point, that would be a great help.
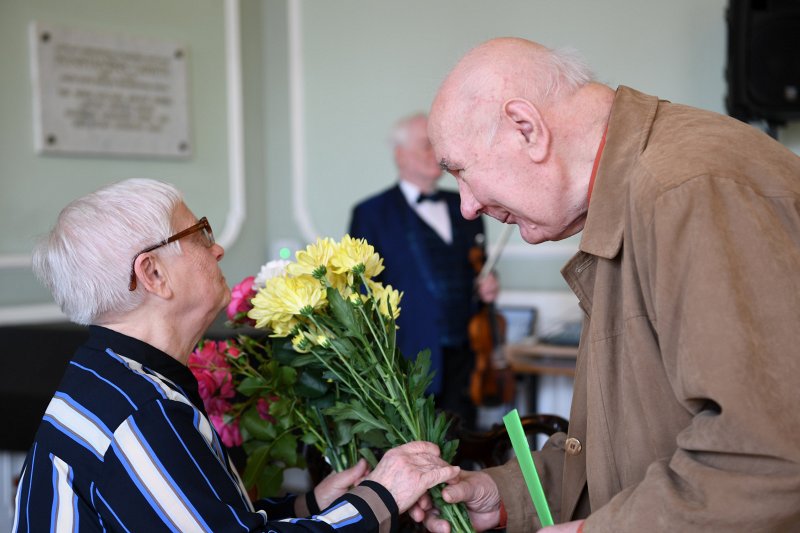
x: 329, y: 373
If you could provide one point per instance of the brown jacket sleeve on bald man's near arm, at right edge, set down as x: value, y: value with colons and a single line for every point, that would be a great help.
x: 726, y: 296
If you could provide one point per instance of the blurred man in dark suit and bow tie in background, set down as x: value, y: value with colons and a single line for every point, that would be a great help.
x: 425, y: 244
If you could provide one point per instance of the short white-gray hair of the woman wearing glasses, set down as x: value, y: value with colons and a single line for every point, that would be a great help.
x: 86, y: 258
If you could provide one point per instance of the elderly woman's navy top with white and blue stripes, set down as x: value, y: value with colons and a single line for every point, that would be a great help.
x: 125, y: 445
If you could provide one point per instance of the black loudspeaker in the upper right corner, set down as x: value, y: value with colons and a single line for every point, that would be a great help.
x: 763, y: 70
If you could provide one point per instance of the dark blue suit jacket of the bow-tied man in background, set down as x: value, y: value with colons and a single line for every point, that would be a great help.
x: 389, y: 224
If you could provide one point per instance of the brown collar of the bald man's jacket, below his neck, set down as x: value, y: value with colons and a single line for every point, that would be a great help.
x: 632, y: 116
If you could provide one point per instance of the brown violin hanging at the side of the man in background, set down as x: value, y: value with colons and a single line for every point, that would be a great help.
x: 487, y: 329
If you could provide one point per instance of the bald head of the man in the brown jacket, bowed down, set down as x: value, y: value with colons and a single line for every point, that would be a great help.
x: 518, y: 125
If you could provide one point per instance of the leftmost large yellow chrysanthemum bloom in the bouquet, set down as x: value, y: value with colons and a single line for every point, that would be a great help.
x: 279, y: 304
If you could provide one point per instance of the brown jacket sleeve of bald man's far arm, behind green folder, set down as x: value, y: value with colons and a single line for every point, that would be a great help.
x: 514, y: 492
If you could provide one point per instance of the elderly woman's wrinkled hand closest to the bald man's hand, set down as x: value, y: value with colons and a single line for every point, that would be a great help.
x: 408, y: 471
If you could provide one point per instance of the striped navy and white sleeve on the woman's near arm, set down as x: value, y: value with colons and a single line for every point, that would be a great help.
x: 166, y: 469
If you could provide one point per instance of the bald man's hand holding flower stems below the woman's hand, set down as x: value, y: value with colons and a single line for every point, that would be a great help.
x: 476, y: 489
